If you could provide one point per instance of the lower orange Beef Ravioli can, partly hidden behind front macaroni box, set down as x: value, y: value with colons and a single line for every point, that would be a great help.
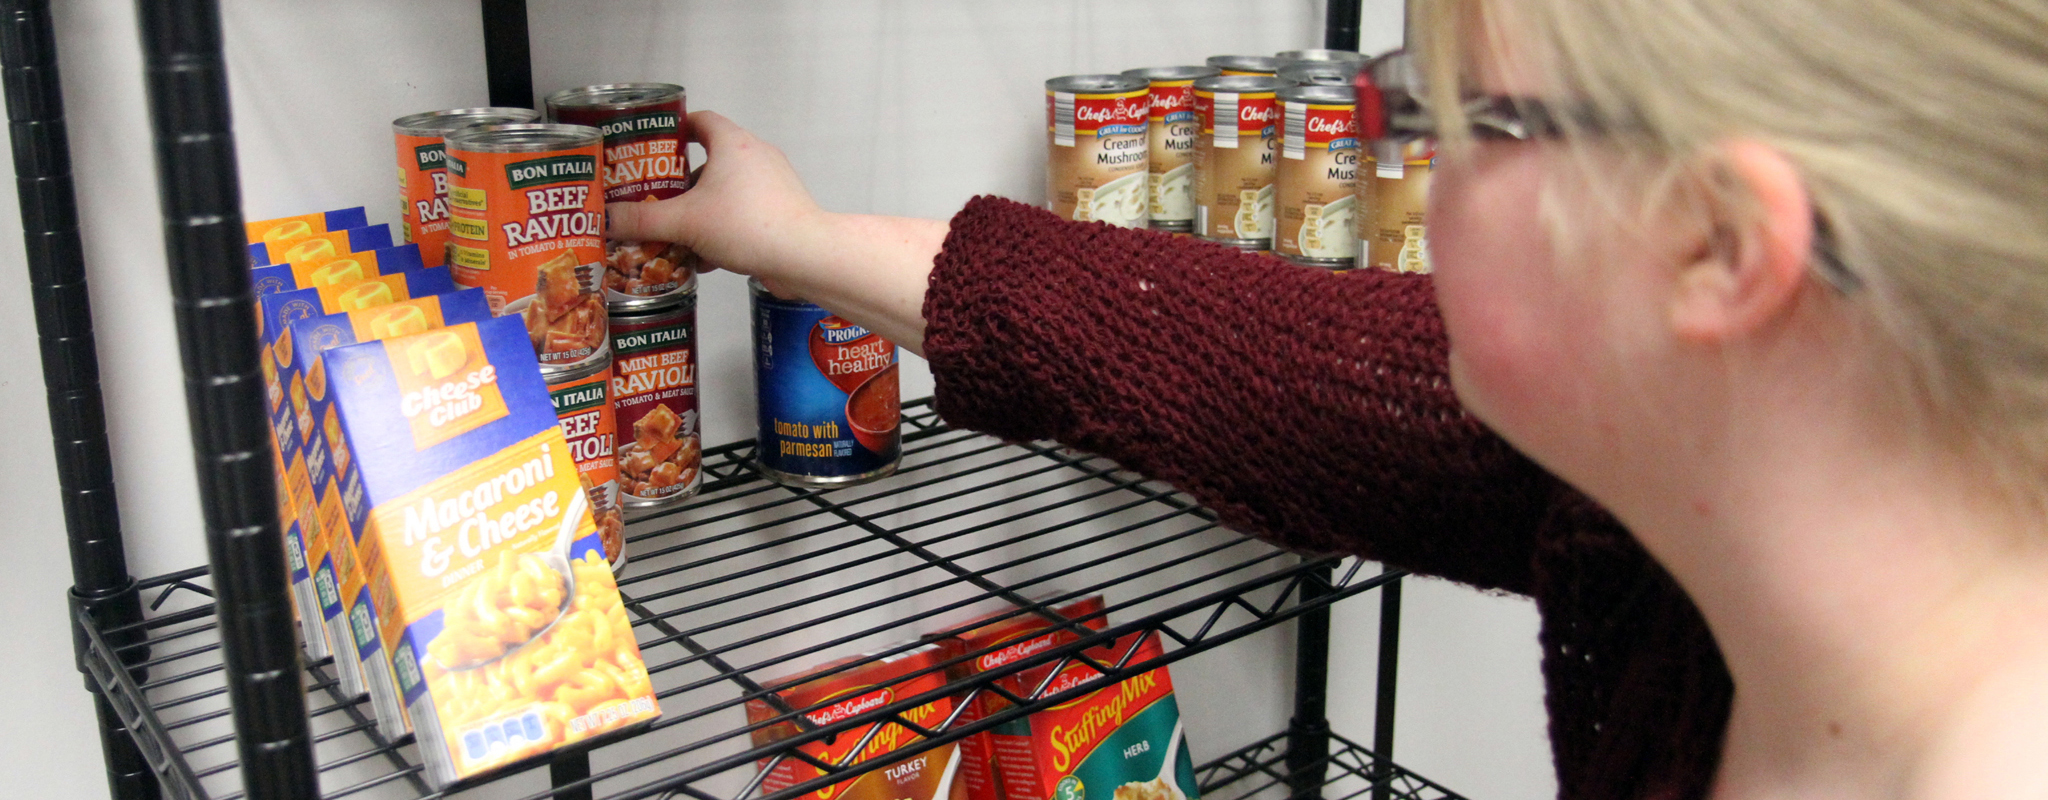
x: 585, y: 406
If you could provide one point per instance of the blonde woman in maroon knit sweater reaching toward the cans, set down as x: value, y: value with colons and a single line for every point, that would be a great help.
x: 1764, y: 306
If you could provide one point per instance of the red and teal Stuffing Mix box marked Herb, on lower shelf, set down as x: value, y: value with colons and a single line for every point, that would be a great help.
x: 1121, y: 742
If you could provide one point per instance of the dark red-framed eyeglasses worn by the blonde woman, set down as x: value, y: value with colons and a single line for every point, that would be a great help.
x: 1396, y: 116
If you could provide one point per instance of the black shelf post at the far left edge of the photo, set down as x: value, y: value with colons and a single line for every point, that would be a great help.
x: 101, y: 584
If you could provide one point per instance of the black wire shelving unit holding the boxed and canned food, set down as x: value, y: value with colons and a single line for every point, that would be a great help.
x: 204, y: 695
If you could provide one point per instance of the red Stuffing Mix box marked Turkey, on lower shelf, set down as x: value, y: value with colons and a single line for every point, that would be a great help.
x: 843, y: 693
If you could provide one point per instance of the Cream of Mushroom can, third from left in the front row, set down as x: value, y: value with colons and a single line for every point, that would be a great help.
x: 1234, y: 161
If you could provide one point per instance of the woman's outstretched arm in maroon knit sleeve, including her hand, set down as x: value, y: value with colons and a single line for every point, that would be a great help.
x: 1304, y: 406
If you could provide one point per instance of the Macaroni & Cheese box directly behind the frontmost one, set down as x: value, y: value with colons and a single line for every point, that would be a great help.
x: 337, y: 582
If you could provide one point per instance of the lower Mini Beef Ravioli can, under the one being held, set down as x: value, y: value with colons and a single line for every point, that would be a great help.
x: 654, y: 390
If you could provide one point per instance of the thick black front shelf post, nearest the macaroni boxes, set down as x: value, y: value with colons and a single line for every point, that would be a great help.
x: 204, y: 240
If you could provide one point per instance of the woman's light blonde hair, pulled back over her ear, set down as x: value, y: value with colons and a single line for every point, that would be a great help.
x: 1920, y: 128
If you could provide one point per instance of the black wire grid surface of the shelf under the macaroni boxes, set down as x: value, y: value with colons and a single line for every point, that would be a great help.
x: 753, y: 582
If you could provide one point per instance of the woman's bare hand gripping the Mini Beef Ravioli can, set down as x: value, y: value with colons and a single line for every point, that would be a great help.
x: 746, y: 214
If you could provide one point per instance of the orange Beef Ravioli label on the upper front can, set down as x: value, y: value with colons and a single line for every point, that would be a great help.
x: 529, y: 230
